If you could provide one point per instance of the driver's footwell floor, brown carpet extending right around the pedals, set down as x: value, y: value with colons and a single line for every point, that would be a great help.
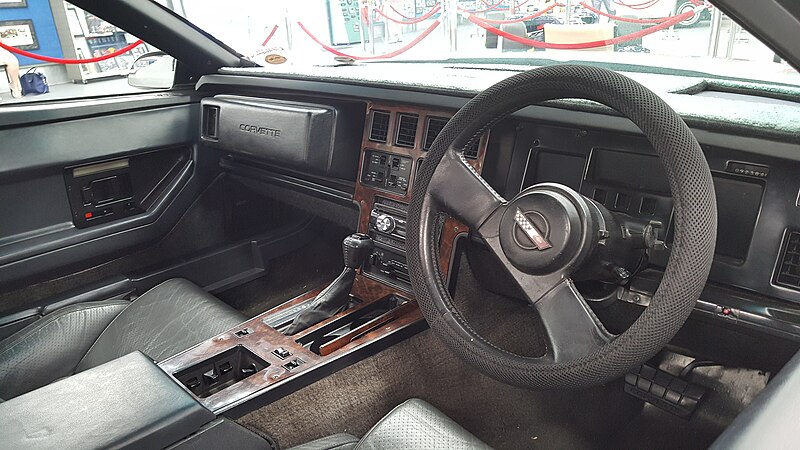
x: 355, y: 398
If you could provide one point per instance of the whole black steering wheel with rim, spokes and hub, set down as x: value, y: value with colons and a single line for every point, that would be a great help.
x: 548, y: 233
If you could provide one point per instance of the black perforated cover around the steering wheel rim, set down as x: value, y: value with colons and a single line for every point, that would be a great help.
x: 692, y: 250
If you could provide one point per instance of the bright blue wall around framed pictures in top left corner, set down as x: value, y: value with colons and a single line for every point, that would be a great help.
x: 43, y: 25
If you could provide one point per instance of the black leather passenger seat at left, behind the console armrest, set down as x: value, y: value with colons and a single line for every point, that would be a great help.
x: 164, y: 321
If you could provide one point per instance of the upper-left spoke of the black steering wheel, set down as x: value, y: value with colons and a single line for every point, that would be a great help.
x: 461, y: 192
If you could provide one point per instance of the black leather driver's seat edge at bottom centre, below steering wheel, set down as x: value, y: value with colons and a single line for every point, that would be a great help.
x: 413, y: 425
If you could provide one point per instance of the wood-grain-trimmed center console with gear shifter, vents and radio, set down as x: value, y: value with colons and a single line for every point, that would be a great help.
x: 263, y: 358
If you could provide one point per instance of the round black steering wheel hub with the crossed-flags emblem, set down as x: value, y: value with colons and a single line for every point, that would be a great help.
x: 544, y: 229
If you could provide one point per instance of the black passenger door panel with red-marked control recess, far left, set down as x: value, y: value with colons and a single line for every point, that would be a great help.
x: 141, y: 158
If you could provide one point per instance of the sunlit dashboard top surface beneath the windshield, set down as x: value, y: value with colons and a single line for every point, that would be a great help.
x: 755, y: 113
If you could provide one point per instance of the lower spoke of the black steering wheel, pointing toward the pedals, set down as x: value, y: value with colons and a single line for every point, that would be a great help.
x: 571, y: 328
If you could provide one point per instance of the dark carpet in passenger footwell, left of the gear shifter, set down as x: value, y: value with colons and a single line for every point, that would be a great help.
x: 311, y: 267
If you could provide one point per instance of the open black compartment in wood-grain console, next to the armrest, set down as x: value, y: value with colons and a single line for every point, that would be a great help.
x: 220, y: 371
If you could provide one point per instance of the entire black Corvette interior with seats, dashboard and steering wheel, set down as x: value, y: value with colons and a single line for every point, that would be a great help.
x: 263, y: 259
